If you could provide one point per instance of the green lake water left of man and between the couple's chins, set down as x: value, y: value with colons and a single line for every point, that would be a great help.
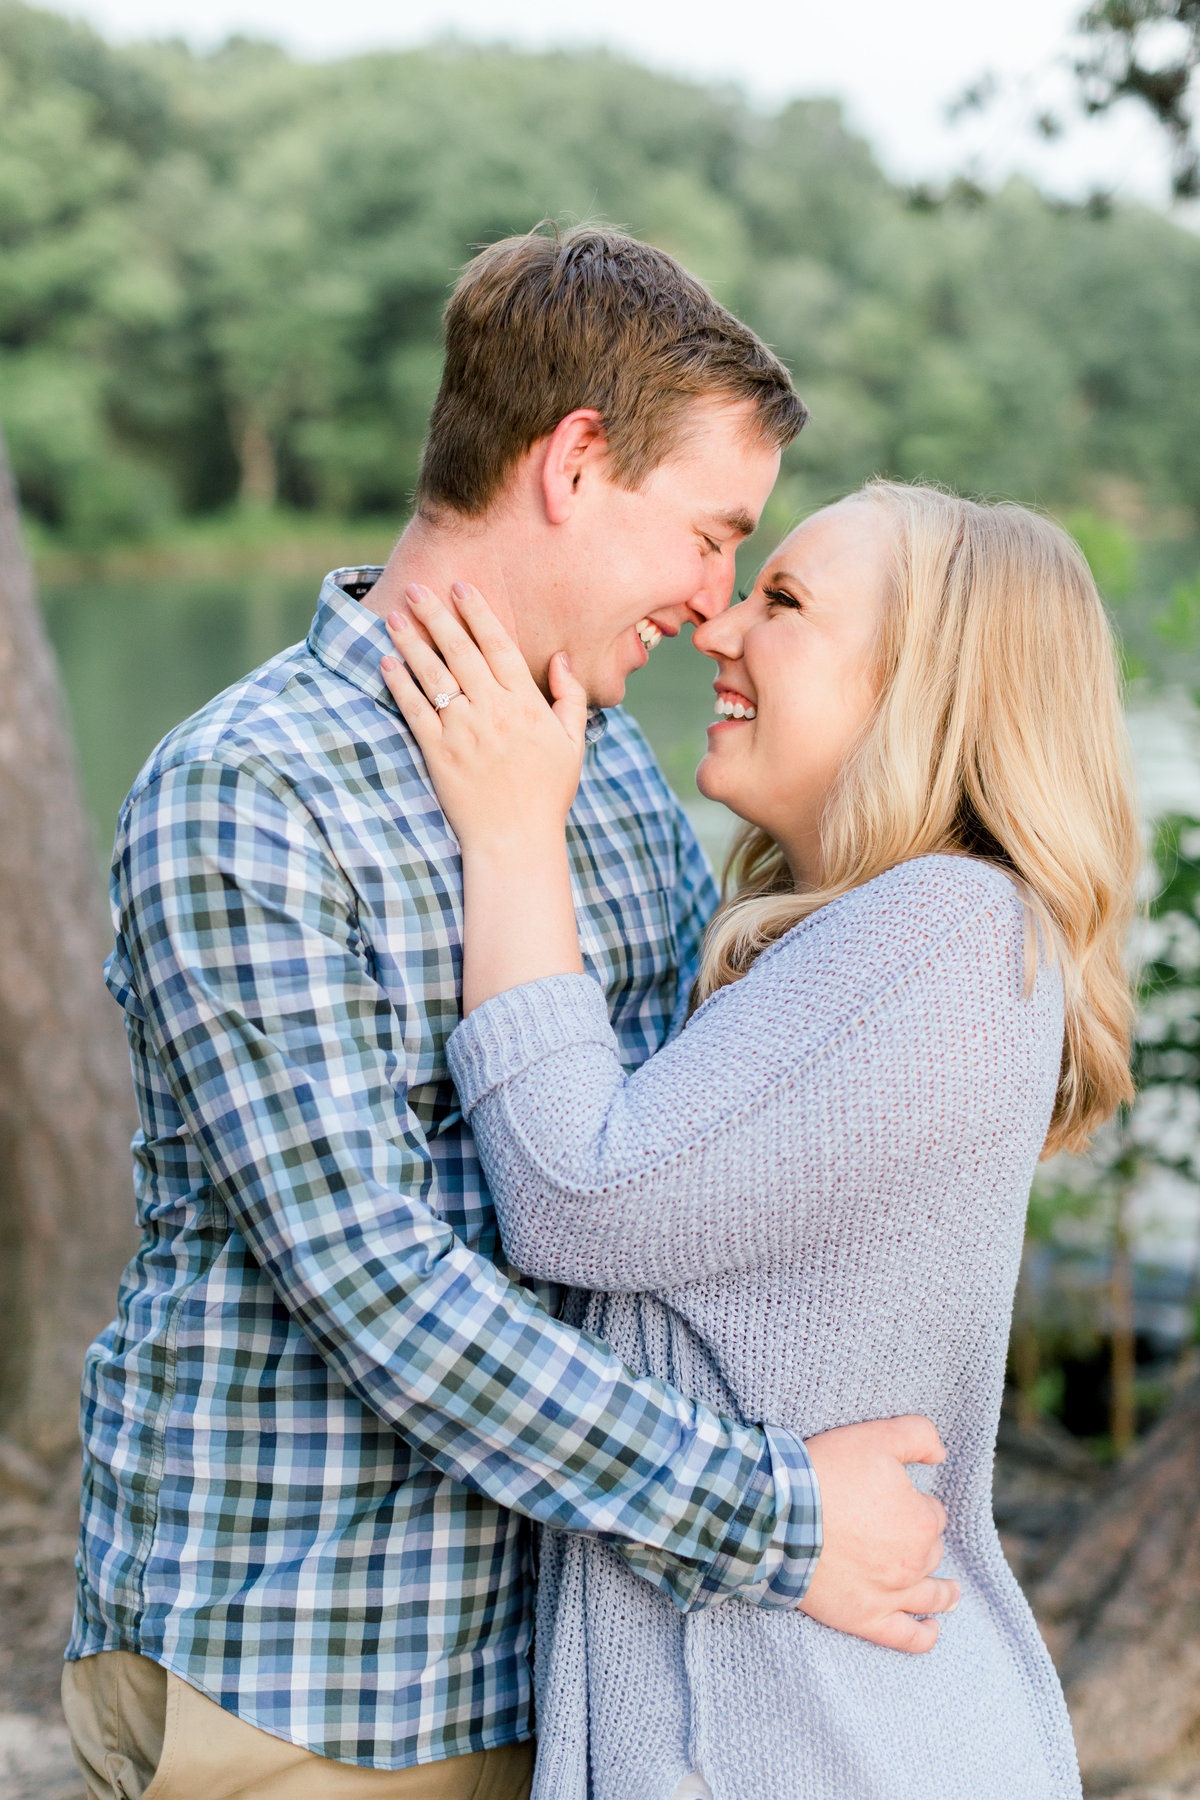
x: 141, y: 656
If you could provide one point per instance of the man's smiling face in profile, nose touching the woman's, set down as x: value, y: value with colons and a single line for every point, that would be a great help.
x: 663, y: 553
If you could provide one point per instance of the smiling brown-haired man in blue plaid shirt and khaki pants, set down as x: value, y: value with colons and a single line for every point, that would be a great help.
x: 323, y: 1417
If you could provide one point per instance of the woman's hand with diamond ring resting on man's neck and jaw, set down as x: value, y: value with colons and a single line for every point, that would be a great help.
x: 505, y: 764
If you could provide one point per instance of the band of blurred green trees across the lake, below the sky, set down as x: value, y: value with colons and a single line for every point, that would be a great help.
x: 222, y: 278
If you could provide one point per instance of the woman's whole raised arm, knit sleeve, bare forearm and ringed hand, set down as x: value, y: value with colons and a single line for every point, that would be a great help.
x: 699, y: 1162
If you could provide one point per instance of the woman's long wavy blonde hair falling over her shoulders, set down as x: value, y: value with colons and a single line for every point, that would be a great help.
x: 998, y: 733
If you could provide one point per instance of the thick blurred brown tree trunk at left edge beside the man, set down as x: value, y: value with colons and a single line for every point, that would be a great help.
x: 66, y: 1093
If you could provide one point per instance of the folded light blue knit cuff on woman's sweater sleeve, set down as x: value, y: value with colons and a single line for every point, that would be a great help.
x: 510, y: 1032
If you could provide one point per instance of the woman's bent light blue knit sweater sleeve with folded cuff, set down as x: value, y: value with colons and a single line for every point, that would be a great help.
x: 697, y: 1164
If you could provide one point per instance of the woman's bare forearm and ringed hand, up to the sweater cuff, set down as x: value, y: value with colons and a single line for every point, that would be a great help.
x: 506, y: 768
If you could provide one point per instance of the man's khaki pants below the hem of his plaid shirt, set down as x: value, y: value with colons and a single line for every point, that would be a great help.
x: 143, y: 1734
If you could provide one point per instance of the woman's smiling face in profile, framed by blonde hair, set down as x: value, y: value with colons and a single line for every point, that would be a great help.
x: 798, y: 658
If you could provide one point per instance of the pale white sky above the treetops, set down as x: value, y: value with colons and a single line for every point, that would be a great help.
x: 895, y: 64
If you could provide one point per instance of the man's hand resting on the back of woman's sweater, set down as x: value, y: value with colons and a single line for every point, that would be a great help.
x: 882, y: 1538
